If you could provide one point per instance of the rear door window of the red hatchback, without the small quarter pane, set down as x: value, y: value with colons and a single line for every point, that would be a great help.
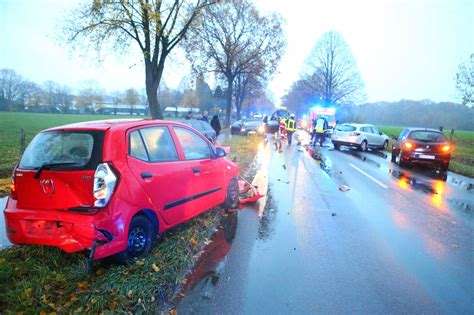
x: 159, y: 144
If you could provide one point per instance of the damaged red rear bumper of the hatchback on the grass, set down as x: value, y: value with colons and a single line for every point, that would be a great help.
x: 71, y: 232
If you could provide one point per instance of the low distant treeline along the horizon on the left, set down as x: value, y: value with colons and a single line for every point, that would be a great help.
x: 17, y: 93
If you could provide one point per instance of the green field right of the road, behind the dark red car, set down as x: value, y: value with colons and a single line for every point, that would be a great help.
x: 462, y: 160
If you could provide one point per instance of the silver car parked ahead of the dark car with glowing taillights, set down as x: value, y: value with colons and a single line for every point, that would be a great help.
x: 361, y: 136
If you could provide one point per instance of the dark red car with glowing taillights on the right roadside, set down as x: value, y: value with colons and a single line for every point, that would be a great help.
x: 422, y: 146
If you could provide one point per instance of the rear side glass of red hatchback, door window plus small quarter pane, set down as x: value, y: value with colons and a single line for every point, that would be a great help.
x: 157, y: 145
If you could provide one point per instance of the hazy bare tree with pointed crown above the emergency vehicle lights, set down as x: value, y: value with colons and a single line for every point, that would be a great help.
x: 331, y: 71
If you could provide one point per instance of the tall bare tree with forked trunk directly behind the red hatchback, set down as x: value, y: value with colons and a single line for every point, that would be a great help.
x: 154, y: 26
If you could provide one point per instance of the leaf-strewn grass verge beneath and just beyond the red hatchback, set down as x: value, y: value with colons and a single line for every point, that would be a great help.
x: 40, y: 279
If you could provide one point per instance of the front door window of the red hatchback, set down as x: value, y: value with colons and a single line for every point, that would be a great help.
x: 194, y: 147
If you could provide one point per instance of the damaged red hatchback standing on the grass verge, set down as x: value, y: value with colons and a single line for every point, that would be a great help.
x: 112, y: 186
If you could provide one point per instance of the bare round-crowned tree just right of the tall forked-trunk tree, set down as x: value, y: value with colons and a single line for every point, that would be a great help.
x: 231, y: 38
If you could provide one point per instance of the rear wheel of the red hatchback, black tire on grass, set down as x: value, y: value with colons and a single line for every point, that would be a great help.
x: 140, y: 240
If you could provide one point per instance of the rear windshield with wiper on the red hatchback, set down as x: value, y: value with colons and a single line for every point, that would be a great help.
x: 58, y: 147
